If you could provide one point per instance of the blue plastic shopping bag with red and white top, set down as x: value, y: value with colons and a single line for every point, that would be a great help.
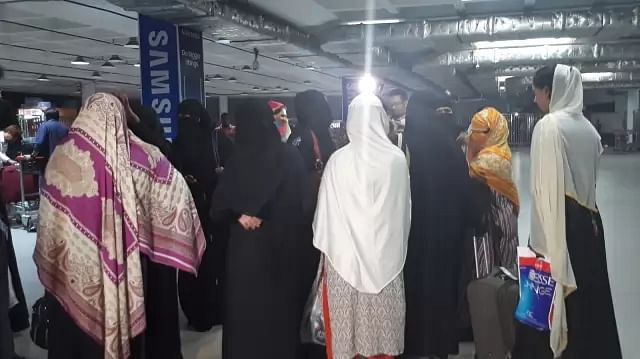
x: 537, y: 290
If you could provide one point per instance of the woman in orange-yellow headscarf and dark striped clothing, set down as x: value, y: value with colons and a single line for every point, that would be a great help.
x: 494, y: 194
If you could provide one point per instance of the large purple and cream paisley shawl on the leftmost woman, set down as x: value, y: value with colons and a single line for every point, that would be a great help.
x: 109, y: 197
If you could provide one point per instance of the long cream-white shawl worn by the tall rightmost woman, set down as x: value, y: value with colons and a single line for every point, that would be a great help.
x: 565, y: 151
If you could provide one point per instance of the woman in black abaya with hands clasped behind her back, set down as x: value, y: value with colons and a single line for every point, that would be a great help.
x: 261, y: 197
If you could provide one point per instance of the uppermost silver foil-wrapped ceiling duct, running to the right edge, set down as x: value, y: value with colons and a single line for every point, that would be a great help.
x: 606, y: 23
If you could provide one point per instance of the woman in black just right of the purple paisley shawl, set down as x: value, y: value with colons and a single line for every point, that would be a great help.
x: 194, y: 150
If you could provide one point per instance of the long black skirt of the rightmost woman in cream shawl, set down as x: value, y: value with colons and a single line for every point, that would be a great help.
x: 591, y: 320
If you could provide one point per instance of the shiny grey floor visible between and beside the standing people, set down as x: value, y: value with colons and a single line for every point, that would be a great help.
x: 618, y: 199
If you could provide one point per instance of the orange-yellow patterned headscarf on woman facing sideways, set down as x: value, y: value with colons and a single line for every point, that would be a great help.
x: 492, y: 164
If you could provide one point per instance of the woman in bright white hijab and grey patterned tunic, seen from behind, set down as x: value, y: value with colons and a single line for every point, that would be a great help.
x: 361, y: 226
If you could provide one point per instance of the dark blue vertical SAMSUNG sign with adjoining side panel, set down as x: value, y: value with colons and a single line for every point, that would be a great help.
x: 171, y: 69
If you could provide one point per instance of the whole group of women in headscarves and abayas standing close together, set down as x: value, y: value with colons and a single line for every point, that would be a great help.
x: 250, y: 222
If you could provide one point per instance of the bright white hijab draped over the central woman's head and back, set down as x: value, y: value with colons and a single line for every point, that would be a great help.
x: 363, y: 215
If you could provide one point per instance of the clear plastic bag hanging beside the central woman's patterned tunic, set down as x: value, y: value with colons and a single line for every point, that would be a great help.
x: 312, y: 328
